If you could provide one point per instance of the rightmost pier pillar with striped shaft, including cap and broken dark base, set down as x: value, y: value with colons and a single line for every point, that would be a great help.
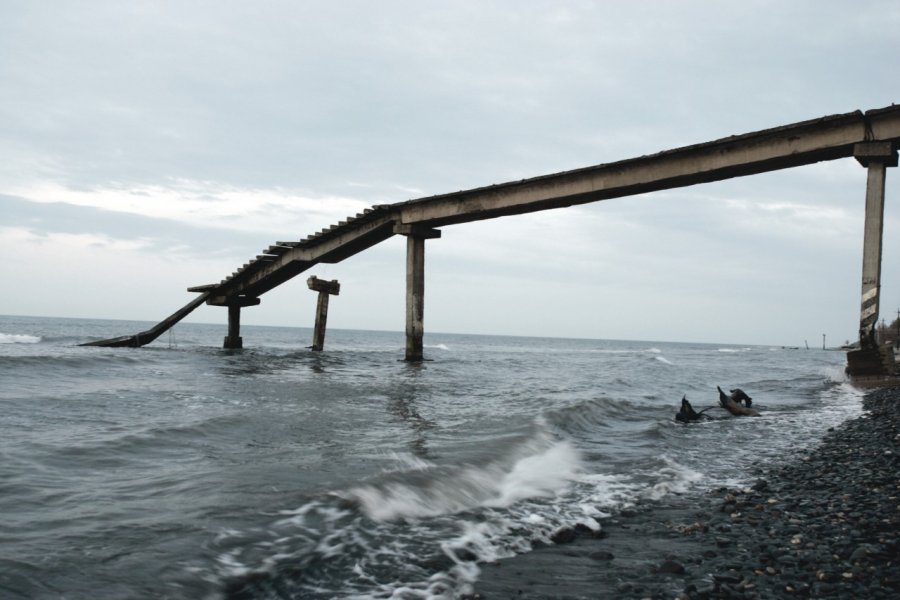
x: 869, y: 359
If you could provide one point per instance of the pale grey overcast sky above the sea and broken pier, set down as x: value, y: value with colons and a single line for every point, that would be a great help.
x: 146, y: 147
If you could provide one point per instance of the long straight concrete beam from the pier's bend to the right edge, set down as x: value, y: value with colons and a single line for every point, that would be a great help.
x: 794, y: 145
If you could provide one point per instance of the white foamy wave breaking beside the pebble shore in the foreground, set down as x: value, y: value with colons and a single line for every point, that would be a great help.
x: 414, y: 533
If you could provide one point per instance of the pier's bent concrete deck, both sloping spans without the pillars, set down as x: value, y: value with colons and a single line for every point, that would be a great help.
x: 803, y: 143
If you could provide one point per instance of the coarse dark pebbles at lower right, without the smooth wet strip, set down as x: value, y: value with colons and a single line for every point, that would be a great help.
x: 815, y: 525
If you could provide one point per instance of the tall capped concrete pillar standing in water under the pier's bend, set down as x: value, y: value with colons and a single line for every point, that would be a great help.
x: 415, y: 286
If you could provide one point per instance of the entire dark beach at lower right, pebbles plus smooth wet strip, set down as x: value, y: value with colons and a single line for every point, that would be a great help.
x: 824, y: 525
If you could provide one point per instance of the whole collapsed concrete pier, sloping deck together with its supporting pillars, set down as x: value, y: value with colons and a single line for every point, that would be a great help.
x: 872, y: 137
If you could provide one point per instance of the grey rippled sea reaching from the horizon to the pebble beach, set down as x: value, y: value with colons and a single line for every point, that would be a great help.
x: 181, y: 470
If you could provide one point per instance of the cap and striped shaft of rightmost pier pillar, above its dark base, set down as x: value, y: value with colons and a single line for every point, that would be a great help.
x: 876, y: 157
